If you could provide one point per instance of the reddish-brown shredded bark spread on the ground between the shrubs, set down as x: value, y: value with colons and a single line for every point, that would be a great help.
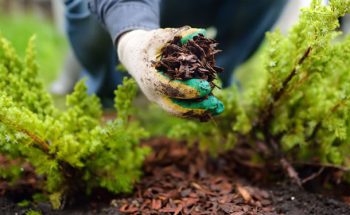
x: 181, y: 180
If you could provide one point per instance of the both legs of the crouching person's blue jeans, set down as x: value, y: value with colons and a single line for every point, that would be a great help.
x: 241, y: 26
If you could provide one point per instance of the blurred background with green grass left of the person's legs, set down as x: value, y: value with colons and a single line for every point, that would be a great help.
x: 20, y: 19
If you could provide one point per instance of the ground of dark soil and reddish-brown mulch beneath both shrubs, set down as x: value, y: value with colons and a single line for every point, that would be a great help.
x: 182, y: 180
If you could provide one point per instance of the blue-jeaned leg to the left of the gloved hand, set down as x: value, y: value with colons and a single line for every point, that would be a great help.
x: 94, y: 49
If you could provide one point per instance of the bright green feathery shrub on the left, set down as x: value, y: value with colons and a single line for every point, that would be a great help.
x: 74, y: 150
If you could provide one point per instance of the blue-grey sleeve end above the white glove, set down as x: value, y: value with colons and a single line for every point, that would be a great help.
x: 119, y: 16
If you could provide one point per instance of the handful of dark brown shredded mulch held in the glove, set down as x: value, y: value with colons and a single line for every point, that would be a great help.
x: 194, y: 59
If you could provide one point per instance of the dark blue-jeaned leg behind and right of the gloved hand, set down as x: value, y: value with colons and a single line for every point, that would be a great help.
x: 240, y: 24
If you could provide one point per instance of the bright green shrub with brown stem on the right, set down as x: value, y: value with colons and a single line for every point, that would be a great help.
x: 300, y: 102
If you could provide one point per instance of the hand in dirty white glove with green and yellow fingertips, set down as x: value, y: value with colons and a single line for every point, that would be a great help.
x: 137, y: 50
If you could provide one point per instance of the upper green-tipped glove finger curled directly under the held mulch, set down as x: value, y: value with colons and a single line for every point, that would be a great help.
x: 189, y: 89
